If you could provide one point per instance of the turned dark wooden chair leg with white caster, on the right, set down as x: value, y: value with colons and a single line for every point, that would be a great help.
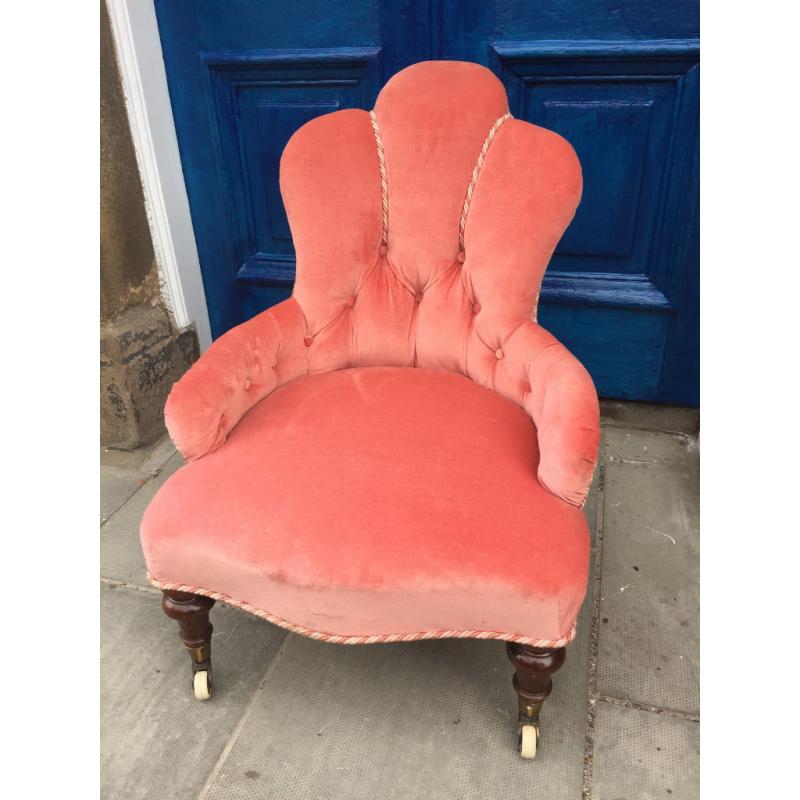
x: 533, y: 671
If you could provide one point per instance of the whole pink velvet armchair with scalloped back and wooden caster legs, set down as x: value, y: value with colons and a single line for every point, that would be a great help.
x: 398, y: 451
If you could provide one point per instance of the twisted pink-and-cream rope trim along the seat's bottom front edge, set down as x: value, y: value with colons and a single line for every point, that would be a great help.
x: 375, y: 639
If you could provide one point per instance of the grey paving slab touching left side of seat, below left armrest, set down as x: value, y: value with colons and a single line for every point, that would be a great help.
x: 121, y: 557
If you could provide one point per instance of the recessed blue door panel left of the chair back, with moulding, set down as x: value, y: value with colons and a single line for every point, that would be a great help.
x: 260, y: 99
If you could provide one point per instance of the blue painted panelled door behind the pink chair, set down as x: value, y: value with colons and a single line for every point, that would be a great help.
x: 618, y: 79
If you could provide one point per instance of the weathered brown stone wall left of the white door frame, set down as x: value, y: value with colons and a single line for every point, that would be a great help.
x: 141, y: 352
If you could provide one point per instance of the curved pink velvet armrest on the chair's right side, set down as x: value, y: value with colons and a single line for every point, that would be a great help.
x: 562, y: 402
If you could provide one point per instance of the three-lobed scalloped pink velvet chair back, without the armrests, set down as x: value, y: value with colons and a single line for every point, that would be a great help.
x: 423, y: 228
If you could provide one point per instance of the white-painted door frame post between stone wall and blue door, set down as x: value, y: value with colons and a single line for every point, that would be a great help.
x: 144, y: 83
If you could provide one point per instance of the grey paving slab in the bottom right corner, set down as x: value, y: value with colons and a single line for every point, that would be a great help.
x: 639, y: 755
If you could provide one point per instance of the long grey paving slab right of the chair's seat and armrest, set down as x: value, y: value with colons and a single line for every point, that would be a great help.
x: 649, y: 626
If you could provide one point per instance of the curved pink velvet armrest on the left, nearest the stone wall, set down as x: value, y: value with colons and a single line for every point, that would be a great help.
x: 239, y: 369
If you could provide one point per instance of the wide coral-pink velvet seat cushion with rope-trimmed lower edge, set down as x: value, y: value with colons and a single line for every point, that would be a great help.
x: 375, y: 504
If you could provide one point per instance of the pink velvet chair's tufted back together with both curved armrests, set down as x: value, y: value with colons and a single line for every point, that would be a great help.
x: 422, y: 231
